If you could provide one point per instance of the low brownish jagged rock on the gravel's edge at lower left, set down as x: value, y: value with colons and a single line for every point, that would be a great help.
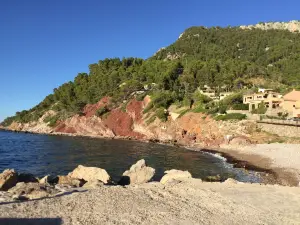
x: 31, y: 190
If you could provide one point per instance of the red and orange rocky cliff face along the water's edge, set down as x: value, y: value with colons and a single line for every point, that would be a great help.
x: 190, y: 129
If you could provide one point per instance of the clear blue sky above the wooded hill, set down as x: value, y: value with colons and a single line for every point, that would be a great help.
x: 46, y: 43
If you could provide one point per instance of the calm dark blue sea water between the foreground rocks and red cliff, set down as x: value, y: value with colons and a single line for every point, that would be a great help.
x: 42, y: 155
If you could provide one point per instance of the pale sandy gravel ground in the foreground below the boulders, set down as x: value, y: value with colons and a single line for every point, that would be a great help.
x: 188, y: 202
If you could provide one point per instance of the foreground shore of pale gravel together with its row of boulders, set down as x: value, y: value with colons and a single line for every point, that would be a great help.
x: 88, y: 196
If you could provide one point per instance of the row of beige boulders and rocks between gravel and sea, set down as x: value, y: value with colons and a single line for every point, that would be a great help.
x: 14, y: 186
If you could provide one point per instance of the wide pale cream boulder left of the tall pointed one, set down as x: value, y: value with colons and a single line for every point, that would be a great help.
x: 90, y: 174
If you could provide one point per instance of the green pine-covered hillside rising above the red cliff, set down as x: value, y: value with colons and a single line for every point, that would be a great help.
x: 230, y: 57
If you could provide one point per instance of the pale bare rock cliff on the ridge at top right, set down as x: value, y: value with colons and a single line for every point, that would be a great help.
x: 292, y: 26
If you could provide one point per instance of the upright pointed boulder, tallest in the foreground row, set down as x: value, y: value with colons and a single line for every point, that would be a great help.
x: 137, y: 174
